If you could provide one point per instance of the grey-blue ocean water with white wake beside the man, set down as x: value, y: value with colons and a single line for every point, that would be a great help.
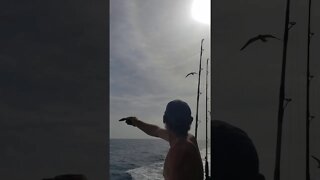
x: 140, y: 159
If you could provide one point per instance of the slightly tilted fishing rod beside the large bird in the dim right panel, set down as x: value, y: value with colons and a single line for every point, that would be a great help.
x: 282, y: 98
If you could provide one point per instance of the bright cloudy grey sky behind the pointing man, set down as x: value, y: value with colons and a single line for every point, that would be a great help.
x: 153, y: 46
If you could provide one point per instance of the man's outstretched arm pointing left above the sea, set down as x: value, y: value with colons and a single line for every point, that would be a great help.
x: 150, y: 129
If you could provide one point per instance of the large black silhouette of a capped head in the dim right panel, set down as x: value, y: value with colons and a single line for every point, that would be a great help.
x: 234, y: 156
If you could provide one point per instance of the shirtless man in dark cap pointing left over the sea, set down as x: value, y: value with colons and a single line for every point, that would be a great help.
x: 183, y: 161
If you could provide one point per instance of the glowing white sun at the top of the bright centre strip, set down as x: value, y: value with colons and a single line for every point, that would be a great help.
x: 201, y: 11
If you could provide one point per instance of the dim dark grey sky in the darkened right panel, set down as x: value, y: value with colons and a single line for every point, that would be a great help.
x: 245, y: 84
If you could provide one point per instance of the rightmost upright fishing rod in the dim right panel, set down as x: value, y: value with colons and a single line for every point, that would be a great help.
x: 309, y: 78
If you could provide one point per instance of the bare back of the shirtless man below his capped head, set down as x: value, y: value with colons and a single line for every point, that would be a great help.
x: 183, y: 161
